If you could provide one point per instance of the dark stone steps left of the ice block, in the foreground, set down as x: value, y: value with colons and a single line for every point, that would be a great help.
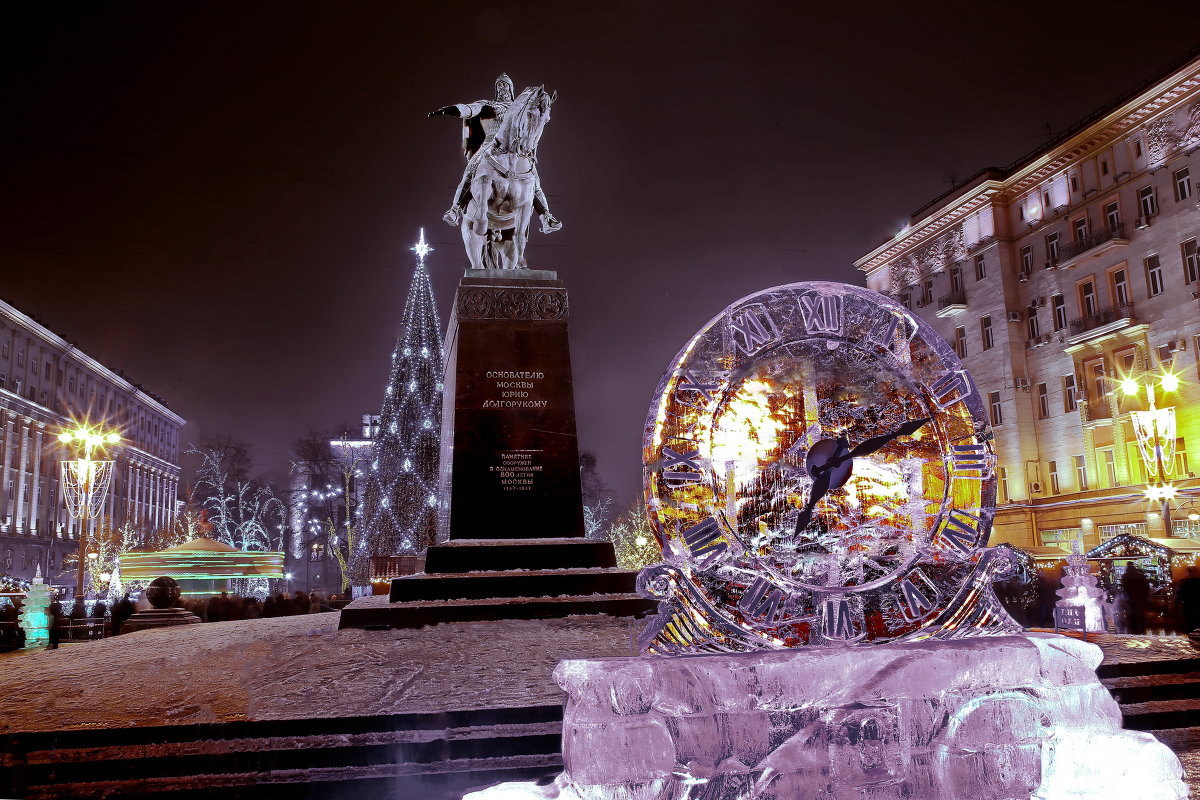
x: 421, y: 756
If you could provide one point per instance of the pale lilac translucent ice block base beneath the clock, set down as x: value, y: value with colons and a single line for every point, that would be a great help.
x: 998, y: 718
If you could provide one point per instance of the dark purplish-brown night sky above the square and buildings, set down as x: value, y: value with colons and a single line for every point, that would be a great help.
x: 219, y: 199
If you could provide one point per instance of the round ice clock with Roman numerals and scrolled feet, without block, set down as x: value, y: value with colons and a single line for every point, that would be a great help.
x: 819, y: 470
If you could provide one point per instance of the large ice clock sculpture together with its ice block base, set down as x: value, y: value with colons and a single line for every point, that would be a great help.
x: 820, y: 473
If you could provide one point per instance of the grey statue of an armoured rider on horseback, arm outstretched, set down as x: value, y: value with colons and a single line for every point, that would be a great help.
x: 501, y: 189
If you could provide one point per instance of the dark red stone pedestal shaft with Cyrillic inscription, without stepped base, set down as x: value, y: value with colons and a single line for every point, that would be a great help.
x: 511, y: 456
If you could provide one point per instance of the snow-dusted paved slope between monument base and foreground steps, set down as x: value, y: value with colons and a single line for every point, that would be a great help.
x: 297, y: 667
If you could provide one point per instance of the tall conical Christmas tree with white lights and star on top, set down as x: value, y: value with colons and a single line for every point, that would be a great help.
x: 401, y: 503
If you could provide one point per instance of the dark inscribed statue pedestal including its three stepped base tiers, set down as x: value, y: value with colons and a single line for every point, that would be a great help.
x: 512, y: 514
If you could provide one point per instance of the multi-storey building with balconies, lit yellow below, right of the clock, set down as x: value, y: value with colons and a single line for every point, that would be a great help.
x: 1059, y: 278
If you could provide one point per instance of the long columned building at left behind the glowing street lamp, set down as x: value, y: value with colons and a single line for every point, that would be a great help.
x: 46, y: 383
